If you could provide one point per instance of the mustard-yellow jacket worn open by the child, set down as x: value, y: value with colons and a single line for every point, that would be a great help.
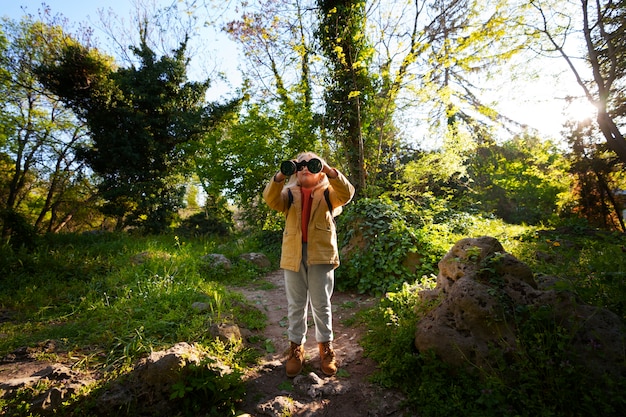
x: 322, y: 234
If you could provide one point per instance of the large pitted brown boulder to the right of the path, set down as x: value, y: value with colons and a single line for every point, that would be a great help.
x: 483, y: 294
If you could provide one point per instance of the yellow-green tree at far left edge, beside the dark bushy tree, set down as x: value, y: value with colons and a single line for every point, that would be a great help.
x: 42, y: 178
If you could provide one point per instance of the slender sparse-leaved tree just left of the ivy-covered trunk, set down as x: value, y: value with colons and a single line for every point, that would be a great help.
x: 278, y: 50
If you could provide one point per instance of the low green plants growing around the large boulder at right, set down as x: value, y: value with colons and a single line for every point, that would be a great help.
x: 541, y: 380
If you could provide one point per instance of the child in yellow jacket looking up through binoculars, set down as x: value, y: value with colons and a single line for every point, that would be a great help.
x: 309, y: 255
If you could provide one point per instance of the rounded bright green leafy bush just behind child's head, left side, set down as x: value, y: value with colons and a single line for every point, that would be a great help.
x: 240, y: 156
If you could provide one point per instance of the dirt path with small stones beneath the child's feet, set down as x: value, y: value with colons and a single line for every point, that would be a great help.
x: 348, y: 394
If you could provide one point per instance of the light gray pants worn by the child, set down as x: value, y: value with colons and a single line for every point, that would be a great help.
x: 312, y: 284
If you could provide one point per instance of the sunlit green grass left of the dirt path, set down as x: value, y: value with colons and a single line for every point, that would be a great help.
x: 108, y: 300
